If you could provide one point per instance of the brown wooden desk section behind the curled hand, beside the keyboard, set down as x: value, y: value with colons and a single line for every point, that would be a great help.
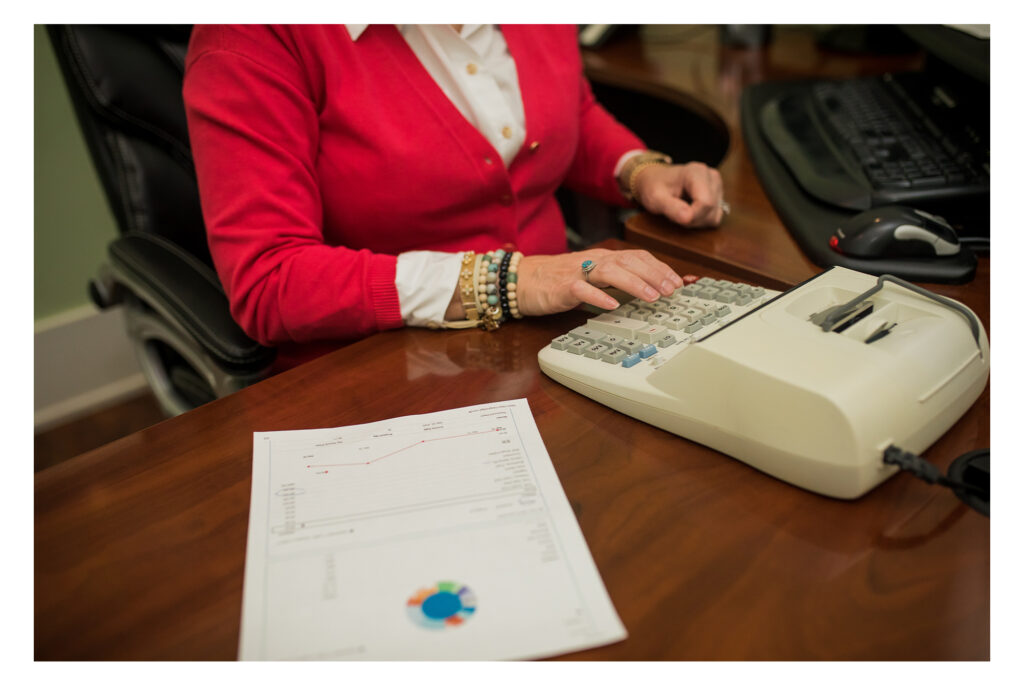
x: 692, y: 66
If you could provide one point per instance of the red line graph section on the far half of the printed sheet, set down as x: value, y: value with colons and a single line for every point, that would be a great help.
x: 364, y: 483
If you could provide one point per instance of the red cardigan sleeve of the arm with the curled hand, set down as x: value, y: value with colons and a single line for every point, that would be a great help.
x: 603, y: 143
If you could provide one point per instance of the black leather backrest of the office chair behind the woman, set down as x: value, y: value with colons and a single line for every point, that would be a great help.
x: 125, y: 86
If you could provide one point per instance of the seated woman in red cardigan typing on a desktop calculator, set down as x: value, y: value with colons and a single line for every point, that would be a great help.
x: 348, y: 175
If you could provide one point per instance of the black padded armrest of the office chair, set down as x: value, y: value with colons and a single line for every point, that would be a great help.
x: 186, y: 291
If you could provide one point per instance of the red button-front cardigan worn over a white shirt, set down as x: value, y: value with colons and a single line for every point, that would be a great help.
x: 321, y: 159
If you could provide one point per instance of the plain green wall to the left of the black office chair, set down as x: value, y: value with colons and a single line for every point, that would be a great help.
x: 72, y: 223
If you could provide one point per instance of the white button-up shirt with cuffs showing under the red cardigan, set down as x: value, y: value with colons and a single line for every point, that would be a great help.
x: 476, y: 70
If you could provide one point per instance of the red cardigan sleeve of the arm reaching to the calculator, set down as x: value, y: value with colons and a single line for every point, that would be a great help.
x: 253, y: 127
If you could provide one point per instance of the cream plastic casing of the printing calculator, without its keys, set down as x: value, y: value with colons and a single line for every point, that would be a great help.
x: 813, y: 408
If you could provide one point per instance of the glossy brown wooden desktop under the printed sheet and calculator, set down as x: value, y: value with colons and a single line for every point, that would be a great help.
x: 140, y: 546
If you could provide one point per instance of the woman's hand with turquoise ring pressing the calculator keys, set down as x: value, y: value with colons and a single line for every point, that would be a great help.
x: 553, y: 284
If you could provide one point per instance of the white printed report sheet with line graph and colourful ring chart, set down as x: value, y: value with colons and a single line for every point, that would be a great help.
x: 443, y: 537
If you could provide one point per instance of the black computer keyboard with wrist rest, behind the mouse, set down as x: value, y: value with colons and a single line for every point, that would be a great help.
x: 874, y: 142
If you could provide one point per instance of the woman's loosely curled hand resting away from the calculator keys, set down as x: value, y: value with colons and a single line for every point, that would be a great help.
x: 689, y: 194
